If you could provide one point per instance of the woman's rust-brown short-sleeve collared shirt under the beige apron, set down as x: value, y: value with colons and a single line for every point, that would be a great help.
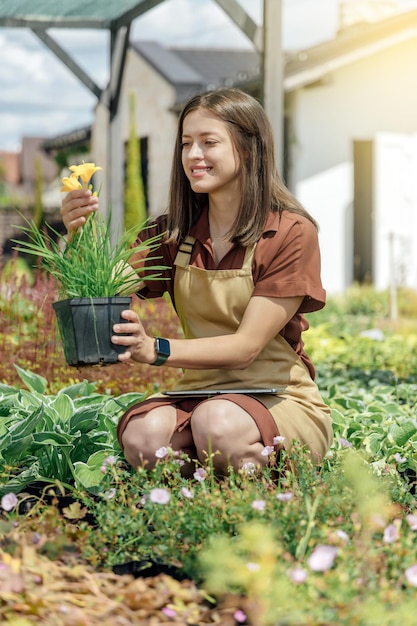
x: 286, y: 264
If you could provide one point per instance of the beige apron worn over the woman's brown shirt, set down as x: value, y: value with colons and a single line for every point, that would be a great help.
x: 210, y: 303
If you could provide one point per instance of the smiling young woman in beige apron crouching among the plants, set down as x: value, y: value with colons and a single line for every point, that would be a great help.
x: 244, y: 265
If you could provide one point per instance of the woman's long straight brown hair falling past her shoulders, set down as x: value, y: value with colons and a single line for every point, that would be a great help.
x: 262, y: 189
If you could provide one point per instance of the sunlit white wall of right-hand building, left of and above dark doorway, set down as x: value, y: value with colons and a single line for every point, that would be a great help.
x: 357, y: 102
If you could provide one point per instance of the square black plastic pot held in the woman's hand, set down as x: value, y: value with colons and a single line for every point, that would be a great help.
x: 86, y: 327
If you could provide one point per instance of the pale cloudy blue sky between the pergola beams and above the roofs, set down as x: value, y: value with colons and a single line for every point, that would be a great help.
x: 40, y: 97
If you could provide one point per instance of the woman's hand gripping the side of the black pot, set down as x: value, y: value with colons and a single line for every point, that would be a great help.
x: 139, y: 346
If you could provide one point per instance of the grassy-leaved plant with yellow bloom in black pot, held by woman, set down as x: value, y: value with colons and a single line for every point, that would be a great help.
x: 92, y: 275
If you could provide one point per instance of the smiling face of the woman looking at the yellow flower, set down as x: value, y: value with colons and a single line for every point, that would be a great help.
x: 209, y: 158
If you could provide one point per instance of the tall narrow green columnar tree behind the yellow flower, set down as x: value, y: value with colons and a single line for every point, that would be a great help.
x: 134, y: 197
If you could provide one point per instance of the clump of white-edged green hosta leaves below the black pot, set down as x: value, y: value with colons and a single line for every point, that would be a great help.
x: 63, y: 437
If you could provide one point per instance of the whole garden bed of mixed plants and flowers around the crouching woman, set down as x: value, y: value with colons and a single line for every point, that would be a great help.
x: 316, y: 546
